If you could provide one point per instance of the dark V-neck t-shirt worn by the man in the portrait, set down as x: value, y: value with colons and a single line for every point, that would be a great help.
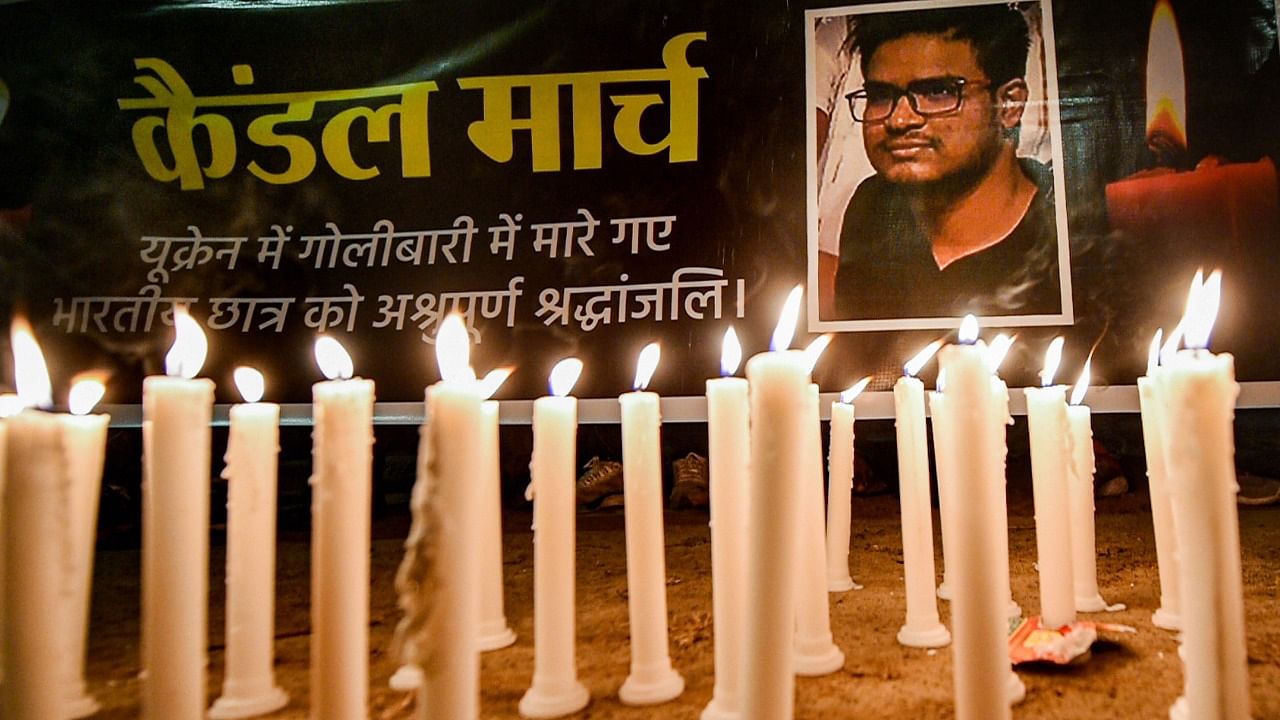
x: 888, y: 268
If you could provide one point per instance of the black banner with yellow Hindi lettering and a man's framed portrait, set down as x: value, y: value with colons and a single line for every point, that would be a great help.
x: 583, y: 179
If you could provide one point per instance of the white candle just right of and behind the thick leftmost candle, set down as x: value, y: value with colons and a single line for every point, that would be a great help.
x: 85, y: 449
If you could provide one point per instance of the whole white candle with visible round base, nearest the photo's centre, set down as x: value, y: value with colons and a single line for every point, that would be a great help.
x: 652, y: 678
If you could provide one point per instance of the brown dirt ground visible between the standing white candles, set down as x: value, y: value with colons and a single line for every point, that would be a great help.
x: 1128, y: 677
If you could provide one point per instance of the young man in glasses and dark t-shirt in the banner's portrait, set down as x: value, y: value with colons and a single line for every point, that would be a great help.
x: 953, y: 221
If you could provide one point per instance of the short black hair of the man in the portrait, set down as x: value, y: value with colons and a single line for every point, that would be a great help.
x: 998, y: 34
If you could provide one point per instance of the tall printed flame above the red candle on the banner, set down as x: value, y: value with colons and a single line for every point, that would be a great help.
x: 1167, y: 84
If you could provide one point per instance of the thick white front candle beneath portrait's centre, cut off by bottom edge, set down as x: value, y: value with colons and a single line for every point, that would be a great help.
x: 979, y: 607
